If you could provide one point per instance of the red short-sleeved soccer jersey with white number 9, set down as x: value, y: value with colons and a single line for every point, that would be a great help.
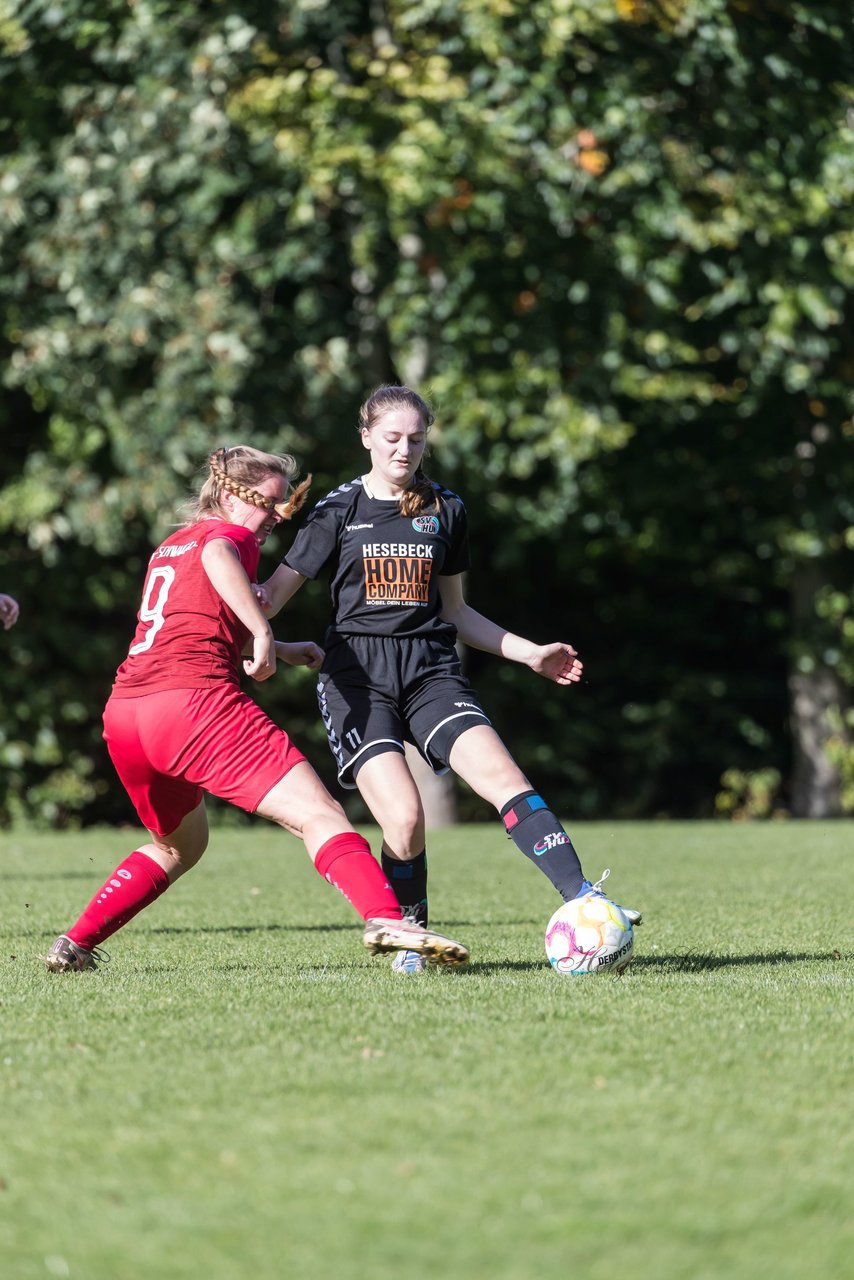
x: 186, y: 636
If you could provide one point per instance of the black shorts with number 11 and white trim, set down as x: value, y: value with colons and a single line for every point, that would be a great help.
x: 376, y: 693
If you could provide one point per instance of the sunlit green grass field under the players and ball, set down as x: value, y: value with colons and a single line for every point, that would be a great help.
x: 245, y: 1095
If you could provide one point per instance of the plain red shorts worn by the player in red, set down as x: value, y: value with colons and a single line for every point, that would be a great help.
x: 172, y: 747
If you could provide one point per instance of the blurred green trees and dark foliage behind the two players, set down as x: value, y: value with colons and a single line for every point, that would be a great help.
x: 611, y: 240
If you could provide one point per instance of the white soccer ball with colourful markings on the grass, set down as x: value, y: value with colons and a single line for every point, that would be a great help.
x: 590, y: 935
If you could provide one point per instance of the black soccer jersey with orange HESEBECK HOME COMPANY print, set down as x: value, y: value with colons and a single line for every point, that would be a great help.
x: 383, y: 568
